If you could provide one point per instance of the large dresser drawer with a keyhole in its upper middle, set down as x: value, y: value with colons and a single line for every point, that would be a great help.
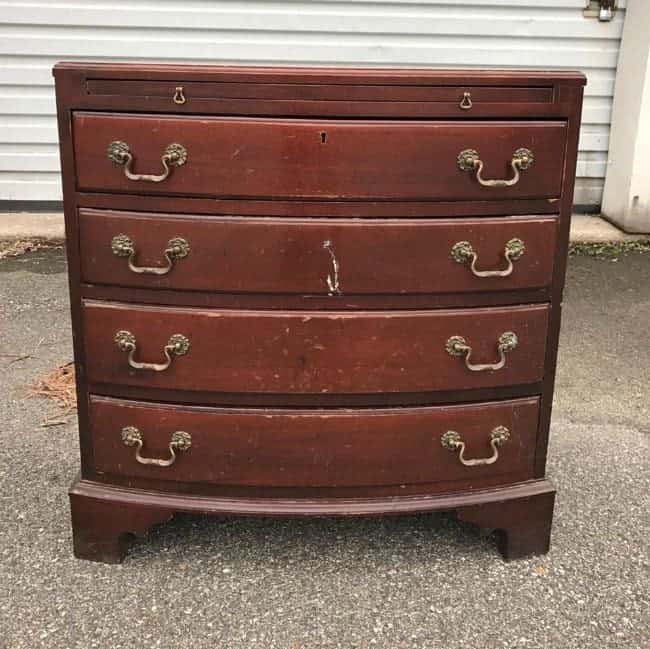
x: 316, y: 159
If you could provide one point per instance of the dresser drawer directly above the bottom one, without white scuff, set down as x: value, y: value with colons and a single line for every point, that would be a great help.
x: 313, y: 352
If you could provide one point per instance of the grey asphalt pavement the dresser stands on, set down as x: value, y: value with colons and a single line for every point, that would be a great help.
x: 418, y: 581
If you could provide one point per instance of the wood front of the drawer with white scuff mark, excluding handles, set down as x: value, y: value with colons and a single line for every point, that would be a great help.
x: 315, y: 256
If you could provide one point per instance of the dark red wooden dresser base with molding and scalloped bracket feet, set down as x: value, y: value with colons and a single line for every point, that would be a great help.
x: 105, y: 518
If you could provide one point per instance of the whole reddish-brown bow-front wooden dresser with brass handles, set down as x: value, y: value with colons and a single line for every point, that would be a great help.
x: 314, y: 292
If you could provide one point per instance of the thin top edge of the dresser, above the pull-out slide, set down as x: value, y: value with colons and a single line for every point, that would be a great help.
x: 317, y: 74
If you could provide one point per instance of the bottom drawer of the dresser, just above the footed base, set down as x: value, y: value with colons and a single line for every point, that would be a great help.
x: 315, y: 448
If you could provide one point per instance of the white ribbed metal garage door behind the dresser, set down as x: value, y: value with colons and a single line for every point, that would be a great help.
x: 449, y: 33
